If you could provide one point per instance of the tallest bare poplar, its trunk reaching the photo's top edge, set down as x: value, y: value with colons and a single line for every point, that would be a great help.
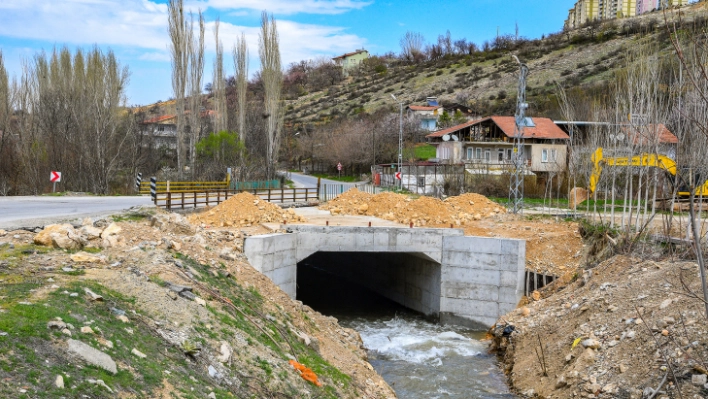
x: 177, y: 29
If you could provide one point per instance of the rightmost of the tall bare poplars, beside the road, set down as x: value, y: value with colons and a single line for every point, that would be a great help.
x: 272, y: 77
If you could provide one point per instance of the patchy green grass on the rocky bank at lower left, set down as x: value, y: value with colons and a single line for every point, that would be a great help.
x: 32, y: 356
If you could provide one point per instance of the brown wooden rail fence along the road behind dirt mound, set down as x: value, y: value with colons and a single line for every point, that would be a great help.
x: 196, y: 199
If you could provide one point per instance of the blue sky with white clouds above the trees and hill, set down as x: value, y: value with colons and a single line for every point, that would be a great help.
x: 136, y: 30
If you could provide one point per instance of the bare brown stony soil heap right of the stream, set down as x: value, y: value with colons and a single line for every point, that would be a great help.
x: 617, y: 331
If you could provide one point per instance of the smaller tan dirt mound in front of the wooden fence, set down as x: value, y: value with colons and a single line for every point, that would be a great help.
x: 244, y: 210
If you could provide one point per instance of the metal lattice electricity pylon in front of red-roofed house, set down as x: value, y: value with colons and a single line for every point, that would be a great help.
x: 516, y: 184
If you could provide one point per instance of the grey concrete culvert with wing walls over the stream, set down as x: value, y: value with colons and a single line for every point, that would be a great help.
x: 465, y: 280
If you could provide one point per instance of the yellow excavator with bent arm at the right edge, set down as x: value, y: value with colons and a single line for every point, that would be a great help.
x: 652, y: 160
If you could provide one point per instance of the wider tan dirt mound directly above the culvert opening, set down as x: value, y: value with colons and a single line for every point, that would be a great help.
x: 424, y: 211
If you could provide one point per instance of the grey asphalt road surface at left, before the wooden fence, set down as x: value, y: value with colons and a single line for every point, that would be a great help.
x: 17, y: 212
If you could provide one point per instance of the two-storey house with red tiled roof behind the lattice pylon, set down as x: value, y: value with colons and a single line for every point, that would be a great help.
x: 486, y: 145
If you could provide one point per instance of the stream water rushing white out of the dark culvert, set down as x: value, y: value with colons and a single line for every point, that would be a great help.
x: 419, y: 359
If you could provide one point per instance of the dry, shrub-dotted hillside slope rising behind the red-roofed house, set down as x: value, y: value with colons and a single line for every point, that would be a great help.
x: 586, y: 58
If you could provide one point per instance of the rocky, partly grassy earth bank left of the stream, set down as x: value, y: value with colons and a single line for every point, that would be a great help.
x: 147, y: 305
